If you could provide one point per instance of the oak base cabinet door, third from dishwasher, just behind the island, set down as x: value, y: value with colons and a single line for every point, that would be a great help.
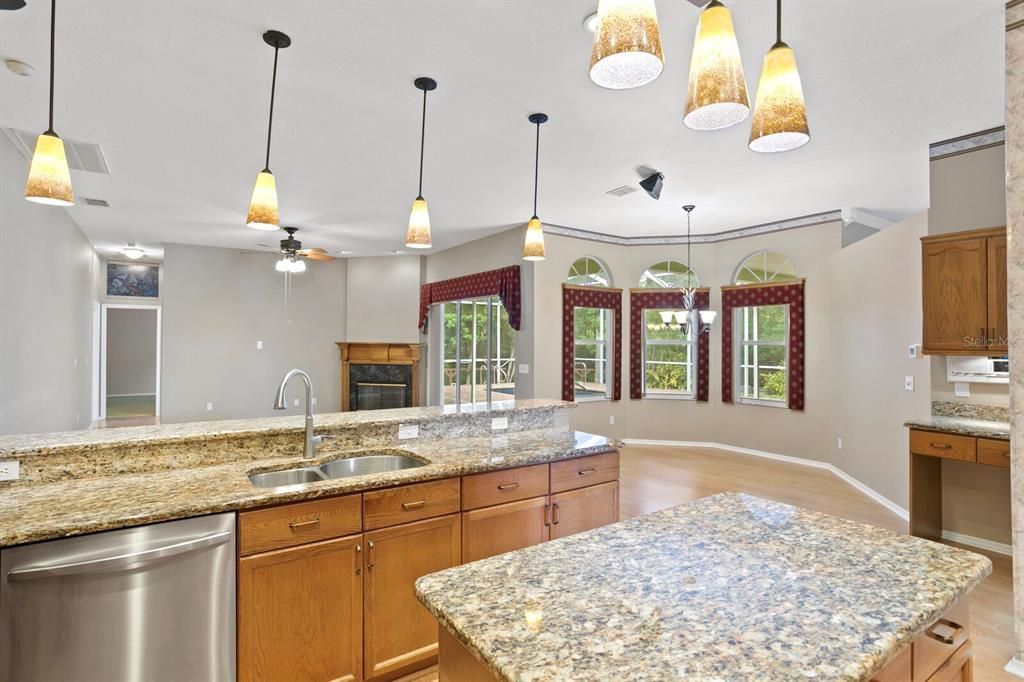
x: 504, y: 529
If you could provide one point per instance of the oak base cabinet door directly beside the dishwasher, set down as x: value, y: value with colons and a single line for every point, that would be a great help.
x: 301, y: 614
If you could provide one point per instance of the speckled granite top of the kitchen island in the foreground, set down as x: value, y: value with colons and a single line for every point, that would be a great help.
x: 732, y: 587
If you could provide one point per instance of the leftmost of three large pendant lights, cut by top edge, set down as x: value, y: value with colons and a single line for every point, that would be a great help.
x: 627, y: 51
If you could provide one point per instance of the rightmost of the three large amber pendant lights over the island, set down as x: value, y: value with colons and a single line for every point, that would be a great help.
x: 780, y: 114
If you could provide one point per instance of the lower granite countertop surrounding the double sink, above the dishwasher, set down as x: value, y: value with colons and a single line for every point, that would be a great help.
x: 73, y: 507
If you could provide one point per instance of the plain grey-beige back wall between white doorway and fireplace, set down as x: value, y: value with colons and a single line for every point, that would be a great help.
x: 218, y: 304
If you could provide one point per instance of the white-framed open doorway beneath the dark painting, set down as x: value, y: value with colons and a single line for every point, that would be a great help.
x: 130, y: 373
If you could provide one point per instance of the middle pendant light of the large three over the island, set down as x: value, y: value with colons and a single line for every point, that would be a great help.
x: 717, y: 97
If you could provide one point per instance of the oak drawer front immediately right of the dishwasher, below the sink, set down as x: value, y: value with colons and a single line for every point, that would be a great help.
x: 287, y: 526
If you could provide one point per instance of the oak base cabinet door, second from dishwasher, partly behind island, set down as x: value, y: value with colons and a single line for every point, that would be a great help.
x: 399, y: 631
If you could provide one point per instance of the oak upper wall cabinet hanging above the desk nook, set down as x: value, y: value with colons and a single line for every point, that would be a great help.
x: 965, y: 293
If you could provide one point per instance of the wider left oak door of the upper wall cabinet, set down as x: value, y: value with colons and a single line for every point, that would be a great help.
x: 956, y: 295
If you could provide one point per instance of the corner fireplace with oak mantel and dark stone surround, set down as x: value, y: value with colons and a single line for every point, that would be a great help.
x: 379, y: 376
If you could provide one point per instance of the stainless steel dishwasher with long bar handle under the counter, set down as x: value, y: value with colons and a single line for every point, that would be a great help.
x: 151, y: 604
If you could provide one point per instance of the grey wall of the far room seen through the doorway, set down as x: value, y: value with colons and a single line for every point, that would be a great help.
x: 132, y: 352
